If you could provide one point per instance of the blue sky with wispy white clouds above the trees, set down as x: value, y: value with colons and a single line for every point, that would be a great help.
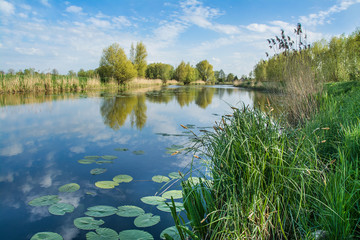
x: 230, y: 34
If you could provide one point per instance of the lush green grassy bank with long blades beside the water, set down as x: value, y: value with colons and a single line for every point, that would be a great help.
x: 269, y: 180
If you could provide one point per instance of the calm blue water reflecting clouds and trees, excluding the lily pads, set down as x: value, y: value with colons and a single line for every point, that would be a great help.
x: 43, y: 137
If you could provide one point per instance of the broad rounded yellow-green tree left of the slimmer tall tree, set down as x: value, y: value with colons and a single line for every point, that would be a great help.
x: 114, y: 64
